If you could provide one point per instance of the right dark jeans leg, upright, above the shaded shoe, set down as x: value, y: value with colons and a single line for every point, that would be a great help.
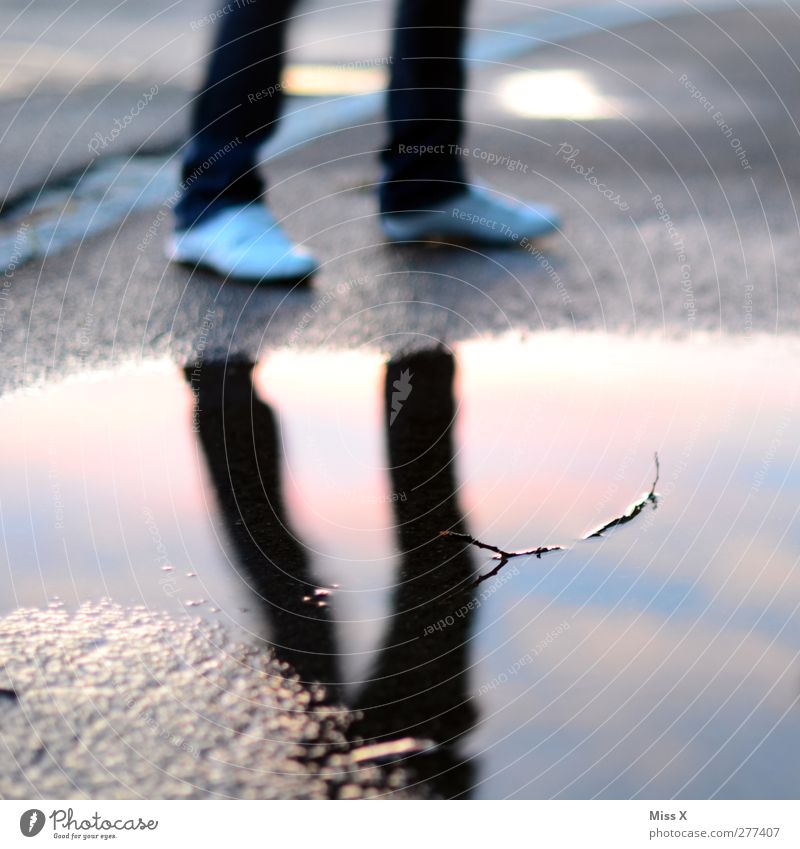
x: 425, y: 104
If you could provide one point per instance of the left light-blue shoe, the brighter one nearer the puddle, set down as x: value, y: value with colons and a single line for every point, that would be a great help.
x: 243, y: 242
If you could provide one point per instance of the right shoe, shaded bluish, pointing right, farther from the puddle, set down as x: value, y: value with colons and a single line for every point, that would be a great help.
x: 476, y: 216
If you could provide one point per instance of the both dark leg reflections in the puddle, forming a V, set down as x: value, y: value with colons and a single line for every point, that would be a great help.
x: 418, y: 685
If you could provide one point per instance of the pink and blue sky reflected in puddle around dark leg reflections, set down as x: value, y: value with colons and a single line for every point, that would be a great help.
x: 553, y: 436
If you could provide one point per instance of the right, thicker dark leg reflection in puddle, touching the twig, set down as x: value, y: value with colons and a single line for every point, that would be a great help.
x: 418, y: 686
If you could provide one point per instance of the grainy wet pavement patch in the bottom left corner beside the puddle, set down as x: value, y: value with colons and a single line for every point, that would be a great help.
x: 143, y: 711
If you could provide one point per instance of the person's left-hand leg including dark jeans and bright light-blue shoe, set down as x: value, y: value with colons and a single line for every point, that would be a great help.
x: 220, y: 222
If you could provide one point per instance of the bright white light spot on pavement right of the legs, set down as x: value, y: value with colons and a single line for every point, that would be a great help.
x: 554, y: 94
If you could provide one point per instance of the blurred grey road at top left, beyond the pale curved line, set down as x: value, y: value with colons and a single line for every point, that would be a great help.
x: 67, y: 73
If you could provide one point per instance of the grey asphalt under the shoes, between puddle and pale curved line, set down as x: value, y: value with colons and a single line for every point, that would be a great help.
x: 714, y: 251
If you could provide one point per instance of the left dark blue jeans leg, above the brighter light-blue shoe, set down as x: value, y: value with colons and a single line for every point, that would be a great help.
x: 235, y: 110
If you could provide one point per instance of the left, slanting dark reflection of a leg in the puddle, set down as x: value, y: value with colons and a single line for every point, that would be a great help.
x: 240, y: 439
